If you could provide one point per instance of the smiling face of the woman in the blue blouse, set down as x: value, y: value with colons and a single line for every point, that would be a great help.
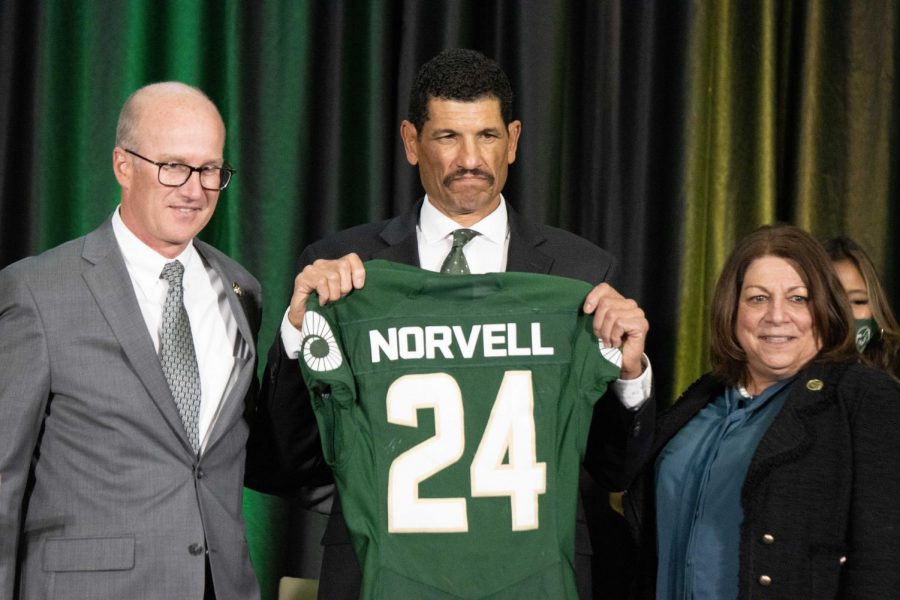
x: 774, y: 325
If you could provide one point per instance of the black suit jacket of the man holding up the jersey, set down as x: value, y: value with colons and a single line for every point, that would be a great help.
x: 285, y: 419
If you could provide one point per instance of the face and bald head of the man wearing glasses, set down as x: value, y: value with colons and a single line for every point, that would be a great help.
x: 174, y: 124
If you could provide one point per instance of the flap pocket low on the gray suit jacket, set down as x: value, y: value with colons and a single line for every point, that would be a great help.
x: 89, y: 554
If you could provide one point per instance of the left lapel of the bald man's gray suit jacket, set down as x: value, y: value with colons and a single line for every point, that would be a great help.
x: 111, y: 286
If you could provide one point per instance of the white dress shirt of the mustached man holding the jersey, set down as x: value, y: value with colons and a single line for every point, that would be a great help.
x: 485, y: 253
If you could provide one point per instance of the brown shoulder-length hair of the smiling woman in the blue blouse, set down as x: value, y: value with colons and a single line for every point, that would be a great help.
x: 828, y: 304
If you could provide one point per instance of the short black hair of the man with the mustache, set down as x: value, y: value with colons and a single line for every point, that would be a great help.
x: 461, y: 75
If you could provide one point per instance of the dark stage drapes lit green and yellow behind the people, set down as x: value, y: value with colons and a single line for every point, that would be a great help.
x: 663, y: 131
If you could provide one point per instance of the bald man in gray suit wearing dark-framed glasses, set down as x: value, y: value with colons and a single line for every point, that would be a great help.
x: 125, y: 360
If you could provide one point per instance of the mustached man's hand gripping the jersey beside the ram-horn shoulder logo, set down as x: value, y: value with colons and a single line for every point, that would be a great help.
x: 331, y: 279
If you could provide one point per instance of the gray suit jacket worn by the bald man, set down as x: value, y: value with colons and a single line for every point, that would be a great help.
x: 101, y: 495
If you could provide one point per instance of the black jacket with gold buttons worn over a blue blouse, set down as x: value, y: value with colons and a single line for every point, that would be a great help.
x: 821, y: 517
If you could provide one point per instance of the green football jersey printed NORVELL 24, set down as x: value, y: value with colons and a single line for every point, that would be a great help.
x: 454, y: 411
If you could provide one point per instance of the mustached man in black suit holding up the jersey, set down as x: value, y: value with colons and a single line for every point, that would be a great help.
x: 461, y: 136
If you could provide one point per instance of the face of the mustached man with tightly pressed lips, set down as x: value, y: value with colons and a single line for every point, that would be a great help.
x: 463, y: 153
